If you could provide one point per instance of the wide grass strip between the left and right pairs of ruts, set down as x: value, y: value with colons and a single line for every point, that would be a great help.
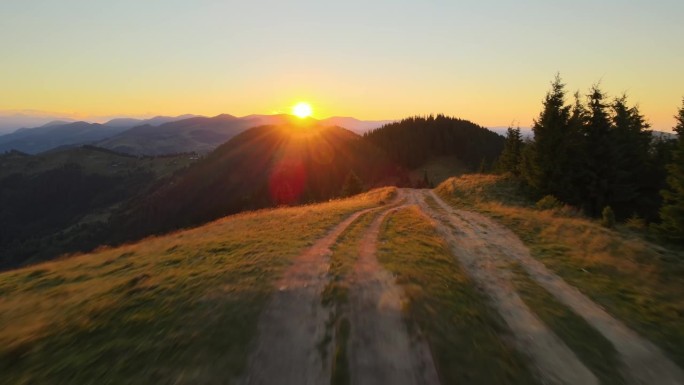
x: 467, y: 338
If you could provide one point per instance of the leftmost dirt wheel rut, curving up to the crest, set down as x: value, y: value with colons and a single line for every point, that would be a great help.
x: 293, y: 323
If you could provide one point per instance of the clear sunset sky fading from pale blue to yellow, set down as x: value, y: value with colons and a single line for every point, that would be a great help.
x: 487, y: 61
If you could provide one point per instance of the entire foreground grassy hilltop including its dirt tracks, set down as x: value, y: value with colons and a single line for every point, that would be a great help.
x: 458, y: 285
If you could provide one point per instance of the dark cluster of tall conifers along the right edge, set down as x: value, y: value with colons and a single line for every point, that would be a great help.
x: 599, y: 152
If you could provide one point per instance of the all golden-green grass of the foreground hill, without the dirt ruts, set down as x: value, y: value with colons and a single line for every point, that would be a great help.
x: 184, y: 307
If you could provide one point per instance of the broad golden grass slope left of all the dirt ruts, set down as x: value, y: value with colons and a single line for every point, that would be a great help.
x: 180, y: 308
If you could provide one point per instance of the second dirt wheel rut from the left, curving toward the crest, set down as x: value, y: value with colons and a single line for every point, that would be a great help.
x: 381, y: 348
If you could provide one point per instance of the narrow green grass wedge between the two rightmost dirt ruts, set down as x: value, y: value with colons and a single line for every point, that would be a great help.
x: 590, y: 346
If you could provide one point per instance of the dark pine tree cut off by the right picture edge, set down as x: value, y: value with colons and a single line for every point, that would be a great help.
x: 672, y: 211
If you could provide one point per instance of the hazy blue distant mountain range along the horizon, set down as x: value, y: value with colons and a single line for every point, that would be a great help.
x: 156, y: 136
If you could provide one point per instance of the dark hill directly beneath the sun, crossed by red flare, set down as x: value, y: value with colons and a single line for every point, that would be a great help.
x: 262, y: 167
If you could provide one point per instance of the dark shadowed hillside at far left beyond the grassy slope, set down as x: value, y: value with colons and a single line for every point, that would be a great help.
x: 60, y: 201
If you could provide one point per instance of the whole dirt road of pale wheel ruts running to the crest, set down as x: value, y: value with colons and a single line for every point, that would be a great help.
x: 382, y: 351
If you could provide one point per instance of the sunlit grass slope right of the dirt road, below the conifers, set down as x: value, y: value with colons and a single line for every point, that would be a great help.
x: 638, y: 282
